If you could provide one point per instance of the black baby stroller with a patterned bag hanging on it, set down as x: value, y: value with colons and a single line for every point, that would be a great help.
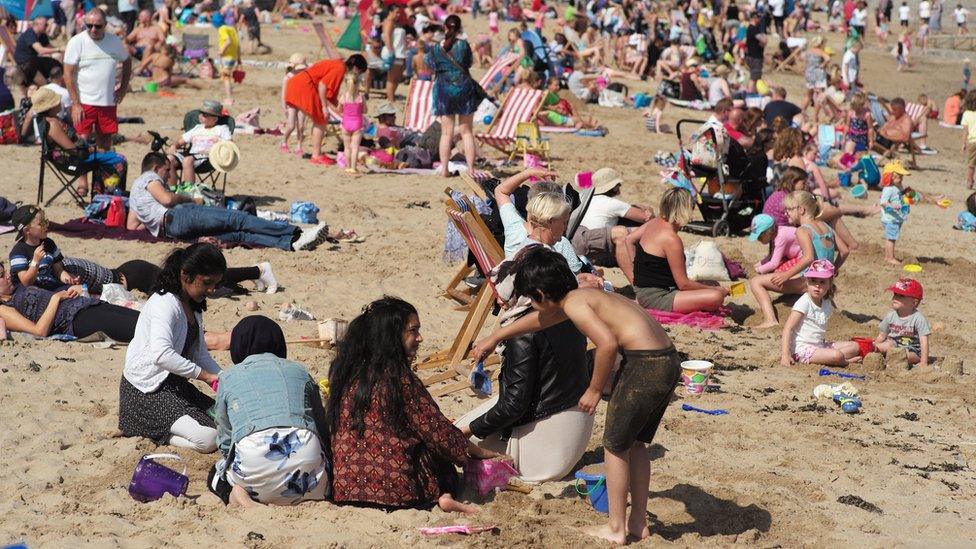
x: 724, y: 209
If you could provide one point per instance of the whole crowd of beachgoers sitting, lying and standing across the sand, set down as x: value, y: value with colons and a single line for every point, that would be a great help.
x: 377, y: 437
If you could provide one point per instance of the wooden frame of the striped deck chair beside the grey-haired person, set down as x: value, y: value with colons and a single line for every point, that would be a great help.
x: 488, y: 253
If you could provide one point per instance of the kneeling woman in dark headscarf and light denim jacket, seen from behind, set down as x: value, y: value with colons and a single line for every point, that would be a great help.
x: 270, y: 423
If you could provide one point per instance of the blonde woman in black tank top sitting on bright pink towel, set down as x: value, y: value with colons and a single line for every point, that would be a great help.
x: 658, y: 272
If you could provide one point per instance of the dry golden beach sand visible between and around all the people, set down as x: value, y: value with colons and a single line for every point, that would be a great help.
x: 770, y: 473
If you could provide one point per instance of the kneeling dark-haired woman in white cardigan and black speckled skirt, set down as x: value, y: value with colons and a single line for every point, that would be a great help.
x: 156, y: 398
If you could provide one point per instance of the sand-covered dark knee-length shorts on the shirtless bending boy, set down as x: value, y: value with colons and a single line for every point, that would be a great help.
x: 641, y: 394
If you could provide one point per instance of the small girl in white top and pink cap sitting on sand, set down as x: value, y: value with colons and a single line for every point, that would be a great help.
x: 804, y: 334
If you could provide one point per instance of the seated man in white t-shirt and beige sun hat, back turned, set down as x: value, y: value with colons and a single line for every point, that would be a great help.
x: 600, y: 237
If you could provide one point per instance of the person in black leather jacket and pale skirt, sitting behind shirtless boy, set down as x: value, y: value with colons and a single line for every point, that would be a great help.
x: 535, y: 418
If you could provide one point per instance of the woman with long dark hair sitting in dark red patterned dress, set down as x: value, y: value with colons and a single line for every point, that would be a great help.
x: 391, y: 445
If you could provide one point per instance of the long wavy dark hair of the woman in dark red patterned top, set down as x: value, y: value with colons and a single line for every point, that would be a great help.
x: 371, y: 358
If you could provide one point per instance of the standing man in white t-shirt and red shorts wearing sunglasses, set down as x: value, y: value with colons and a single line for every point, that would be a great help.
x: 90, y: 62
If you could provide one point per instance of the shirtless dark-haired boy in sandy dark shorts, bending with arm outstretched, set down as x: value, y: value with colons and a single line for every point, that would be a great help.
x: 642, y: 386
